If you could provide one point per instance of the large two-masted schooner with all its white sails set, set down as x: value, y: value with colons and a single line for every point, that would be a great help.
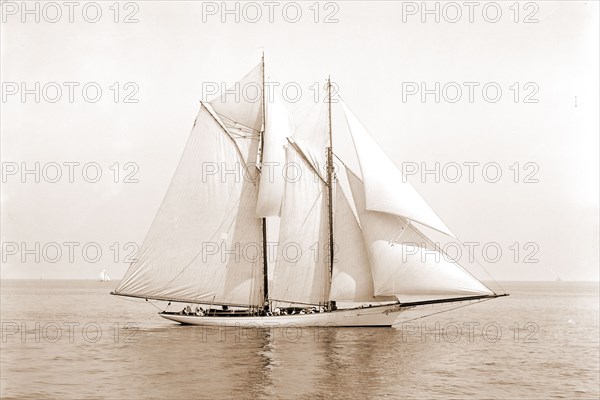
x: 344, y: 257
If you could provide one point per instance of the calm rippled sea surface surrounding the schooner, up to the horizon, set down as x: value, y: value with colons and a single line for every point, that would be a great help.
x: 72, y: 340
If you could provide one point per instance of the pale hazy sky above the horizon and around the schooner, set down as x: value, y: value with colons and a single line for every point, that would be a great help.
x: 377, y: 52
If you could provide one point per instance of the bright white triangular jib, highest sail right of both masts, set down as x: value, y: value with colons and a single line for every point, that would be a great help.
x: 387, y: 190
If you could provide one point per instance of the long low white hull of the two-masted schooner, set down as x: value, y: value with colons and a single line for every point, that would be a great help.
x: 377, y: 316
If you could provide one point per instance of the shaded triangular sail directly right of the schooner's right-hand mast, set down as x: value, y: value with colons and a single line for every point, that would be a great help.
x: 351, y: 279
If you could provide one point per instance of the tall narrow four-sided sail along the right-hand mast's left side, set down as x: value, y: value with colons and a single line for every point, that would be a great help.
x: 302, y: 272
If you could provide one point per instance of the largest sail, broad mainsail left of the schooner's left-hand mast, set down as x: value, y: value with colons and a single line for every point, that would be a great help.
x: 204, y: 243
